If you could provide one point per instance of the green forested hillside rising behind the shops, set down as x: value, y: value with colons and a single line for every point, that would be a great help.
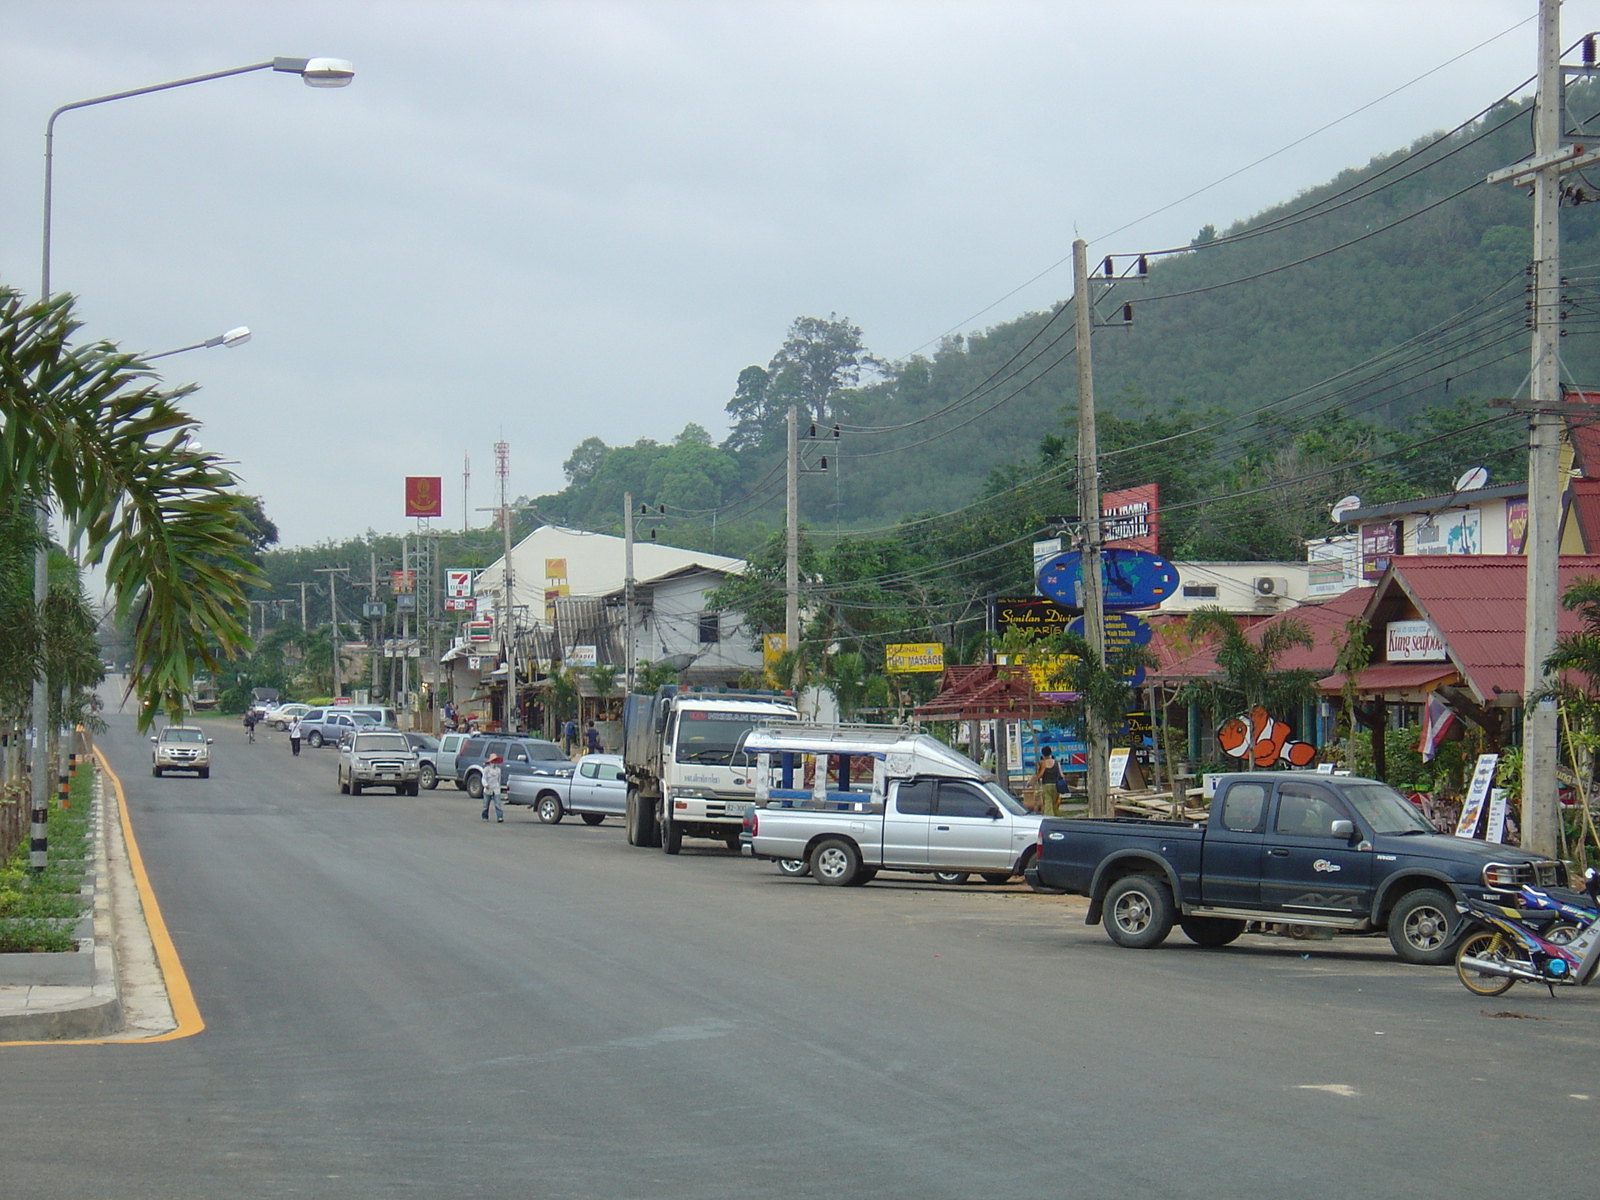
x: 1382, y: 294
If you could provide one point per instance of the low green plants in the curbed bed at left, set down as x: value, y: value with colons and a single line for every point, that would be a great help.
x: 39, y: 913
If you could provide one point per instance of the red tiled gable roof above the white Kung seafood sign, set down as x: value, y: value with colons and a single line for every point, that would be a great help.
x: 1478, y: 606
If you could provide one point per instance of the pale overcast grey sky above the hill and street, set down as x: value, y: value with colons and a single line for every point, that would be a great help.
x: 569, y: 220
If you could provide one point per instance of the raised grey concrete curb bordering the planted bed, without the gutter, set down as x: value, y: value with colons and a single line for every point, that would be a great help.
x: 49, y: 1014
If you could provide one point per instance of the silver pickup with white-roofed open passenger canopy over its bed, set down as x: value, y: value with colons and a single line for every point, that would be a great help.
x: 918, y: 806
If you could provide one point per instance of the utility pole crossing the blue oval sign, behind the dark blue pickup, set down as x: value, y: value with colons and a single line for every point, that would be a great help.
x: 1097, y: 735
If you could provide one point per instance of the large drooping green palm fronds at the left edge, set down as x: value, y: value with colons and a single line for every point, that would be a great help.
x: 90, y: 428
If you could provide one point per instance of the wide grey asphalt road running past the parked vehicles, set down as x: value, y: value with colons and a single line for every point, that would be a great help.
x: 404, y: 1001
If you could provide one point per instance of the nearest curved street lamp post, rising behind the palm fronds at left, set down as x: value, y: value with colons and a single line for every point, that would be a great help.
x: 319, y: 73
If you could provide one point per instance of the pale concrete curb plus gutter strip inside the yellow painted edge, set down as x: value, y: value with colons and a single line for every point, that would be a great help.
x: 126, y: 996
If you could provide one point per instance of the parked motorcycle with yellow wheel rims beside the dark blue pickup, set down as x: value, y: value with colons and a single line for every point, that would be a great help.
x: 1548, y: 942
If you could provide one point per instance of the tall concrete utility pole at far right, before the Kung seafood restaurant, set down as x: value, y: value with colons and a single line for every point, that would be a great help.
x: 1542, y: 831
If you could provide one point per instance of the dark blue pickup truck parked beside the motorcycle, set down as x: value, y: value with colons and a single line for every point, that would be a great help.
x: 1334, y: 854
